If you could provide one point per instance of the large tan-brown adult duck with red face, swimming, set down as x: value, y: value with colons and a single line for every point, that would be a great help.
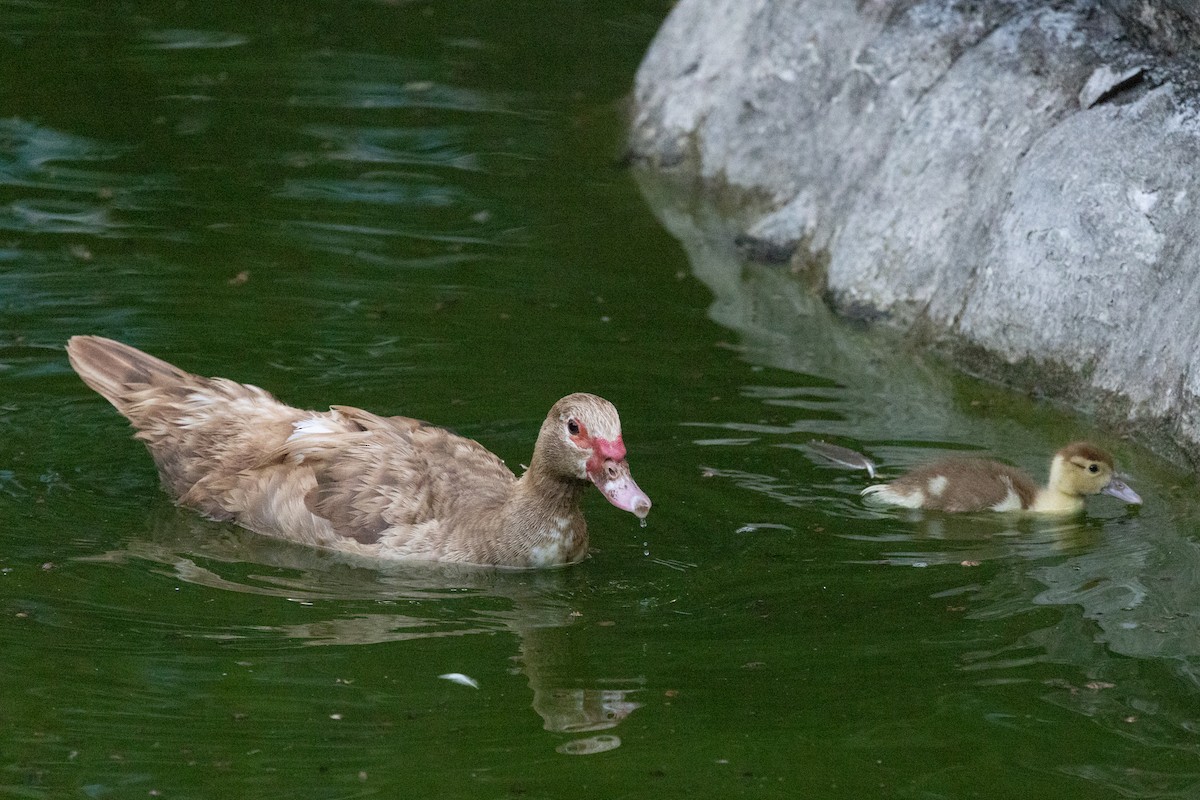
x: 382, y: 488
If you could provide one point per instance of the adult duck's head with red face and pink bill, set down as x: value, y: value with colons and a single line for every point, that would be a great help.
x: 581, y: 441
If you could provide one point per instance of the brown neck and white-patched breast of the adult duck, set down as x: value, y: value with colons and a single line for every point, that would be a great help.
x: 543, y: 520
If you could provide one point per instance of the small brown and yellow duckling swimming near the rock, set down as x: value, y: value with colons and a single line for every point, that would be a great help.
x: 968, y: 485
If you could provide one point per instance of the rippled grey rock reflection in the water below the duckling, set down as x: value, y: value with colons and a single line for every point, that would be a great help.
x: 1127, y: 611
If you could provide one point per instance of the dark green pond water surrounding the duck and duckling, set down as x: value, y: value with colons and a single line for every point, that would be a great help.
x: 416, y: 207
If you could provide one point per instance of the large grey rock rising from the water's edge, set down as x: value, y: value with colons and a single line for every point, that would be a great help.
x: 1015, y: 183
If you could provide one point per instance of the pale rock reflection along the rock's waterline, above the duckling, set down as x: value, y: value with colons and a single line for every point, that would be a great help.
x: 845, y: 374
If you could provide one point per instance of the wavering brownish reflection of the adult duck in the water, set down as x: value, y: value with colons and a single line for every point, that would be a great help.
x: 463, y: 600
